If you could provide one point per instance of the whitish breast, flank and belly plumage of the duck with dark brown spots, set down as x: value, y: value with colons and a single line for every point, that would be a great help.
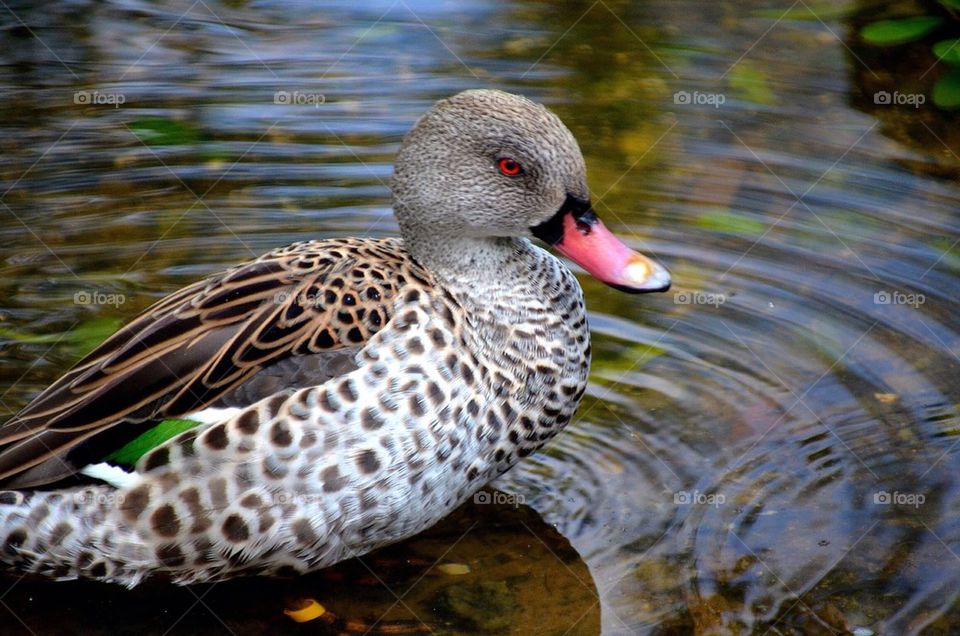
x: 306, y: 478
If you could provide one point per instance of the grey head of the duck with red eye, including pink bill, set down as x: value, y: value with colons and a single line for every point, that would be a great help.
x: 485, y: 164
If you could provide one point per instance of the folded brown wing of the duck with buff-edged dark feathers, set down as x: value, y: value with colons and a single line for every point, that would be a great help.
x: 198, y: 344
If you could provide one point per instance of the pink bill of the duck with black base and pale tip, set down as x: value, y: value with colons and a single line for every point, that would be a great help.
x: 577, y: 233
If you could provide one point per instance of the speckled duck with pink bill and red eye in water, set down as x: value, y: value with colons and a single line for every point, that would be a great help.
x: 334, y: 395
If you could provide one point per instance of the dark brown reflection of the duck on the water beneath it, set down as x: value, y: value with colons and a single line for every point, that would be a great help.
x: 488, y: 568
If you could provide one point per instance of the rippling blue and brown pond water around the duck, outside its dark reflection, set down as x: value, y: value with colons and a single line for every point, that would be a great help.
x: 771, y: 447
